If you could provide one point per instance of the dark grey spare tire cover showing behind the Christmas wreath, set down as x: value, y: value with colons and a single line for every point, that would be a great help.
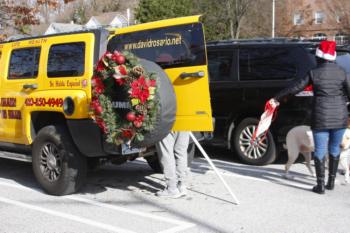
x: 165, y: 117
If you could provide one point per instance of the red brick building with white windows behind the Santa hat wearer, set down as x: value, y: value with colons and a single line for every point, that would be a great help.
x: 314, y: 19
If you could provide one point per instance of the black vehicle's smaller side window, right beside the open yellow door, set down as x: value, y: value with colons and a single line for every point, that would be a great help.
x: 219, y: 65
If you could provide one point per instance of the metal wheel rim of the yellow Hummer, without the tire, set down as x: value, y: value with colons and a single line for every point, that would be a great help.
x: 50, y: 162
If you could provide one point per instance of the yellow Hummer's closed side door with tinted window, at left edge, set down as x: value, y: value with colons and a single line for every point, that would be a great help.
x: 20, y: 78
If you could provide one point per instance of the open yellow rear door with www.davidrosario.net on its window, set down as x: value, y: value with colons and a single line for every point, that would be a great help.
x: 178, y: 46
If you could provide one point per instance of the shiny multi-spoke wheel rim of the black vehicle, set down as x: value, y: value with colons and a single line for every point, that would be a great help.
x: 255, y: 149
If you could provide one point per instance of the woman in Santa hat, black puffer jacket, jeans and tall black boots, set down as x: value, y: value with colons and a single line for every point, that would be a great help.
x: 331, y: 87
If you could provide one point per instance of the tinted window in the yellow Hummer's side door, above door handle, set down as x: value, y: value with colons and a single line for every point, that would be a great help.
x: 24, y: 63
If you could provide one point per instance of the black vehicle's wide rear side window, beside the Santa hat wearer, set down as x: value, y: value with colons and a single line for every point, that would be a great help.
x: 267, y: 64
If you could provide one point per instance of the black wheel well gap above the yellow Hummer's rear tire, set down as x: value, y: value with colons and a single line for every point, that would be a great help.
x: 42, y: 119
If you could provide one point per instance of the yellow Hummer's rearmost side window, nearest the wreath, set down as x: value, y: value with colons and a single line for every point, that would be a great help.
x: 66, y: 60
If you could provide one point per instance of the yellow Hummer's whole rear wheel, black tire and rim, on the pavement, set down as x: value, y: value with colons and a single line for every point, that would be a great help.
x: 57, y: 165
